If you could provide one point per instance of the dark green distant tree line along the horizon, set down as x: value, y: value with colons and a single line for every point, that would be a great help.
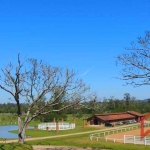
x: 106, y: 105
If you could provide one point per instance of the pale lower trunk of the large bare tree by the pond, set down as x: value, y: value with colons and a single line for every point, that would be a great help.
x: 21, y: 131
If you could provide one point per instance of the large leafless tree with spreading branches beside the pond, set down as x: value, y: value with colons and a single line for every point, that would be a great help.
x: 43, y: 87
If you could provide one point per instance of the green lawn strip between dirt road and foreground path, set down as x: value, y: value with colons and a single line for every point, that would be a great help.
x: 84, y: 141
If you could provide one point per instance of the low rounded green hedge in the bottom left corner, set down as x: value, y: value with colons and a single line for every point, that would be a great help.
x: 15, y: 146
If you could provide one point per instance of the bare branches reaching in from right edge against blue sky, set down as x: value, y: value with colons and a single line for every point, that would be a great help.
x: 136, y: 62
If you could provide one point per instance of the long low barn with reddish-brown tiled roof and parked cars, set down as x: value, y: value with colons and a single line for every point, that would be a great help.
x: 101, y: 119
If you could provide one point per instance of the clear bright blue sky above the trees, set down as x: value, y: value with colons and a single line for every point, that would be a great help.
x: 84, y: 35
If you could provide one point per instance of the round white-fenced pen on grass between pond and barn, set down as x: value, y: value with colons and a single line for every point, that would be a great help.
x: 52, y: 126
